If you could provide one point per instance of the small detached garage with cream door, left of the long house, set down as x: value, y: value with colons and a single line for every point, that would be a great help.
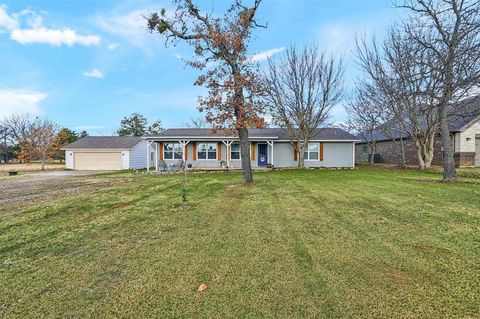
x: 107, y: 153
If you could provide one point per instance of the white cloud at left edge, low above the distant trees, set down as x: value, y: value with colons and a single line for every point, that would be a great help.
x: 20, y: 101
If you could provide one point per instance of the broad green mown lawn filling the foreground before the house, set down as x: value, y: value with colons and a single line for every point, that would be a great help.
x: 364, y: 243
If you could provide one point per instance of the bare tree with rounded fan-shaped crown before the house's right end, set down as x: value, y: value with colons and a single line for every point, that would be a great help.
x: 302, y: 87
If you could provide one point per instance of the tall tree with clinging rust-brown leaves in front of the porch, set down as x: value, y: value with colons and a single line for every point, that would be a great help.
x: 220, y: 43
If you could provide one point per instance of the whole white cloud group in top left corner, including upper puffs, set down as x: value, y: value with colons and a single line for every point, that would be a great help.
x: 36, y: 32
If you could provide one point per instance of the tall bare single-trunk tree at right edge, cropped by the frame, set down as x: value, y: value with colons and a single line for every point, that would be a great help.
x: 448, y: 32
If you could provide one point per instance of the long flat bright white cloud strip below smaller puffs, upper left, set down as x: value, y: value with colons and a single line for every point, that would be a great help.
x: 55, y: 37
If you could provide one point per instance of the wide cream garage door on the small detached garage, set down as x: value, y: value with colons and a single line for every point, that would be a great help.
x: 97, y: 161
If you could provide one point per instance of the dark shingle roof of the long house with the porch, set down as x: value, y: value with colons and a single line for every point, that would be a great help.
x: 278, y: 133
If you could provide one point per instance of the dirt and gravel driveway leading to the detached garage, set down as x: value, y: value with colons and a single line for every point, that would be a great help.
x: 25, y: 190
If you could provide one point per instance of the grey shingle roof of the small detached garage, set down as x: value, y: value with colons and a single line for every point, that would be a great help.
x: 119, y: 142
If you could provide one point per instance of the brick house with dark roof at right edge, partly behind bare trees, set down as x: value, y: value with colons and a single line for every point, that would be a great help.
x: 465, y: 136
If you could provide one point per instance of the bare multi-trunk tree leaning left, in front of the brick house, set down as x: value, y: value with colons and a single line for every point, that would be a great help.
x: 397, y: 72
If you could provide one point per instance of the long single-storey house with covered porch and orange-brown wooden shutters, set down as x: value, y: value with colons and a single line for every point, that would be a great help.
x: 328, y: 147
